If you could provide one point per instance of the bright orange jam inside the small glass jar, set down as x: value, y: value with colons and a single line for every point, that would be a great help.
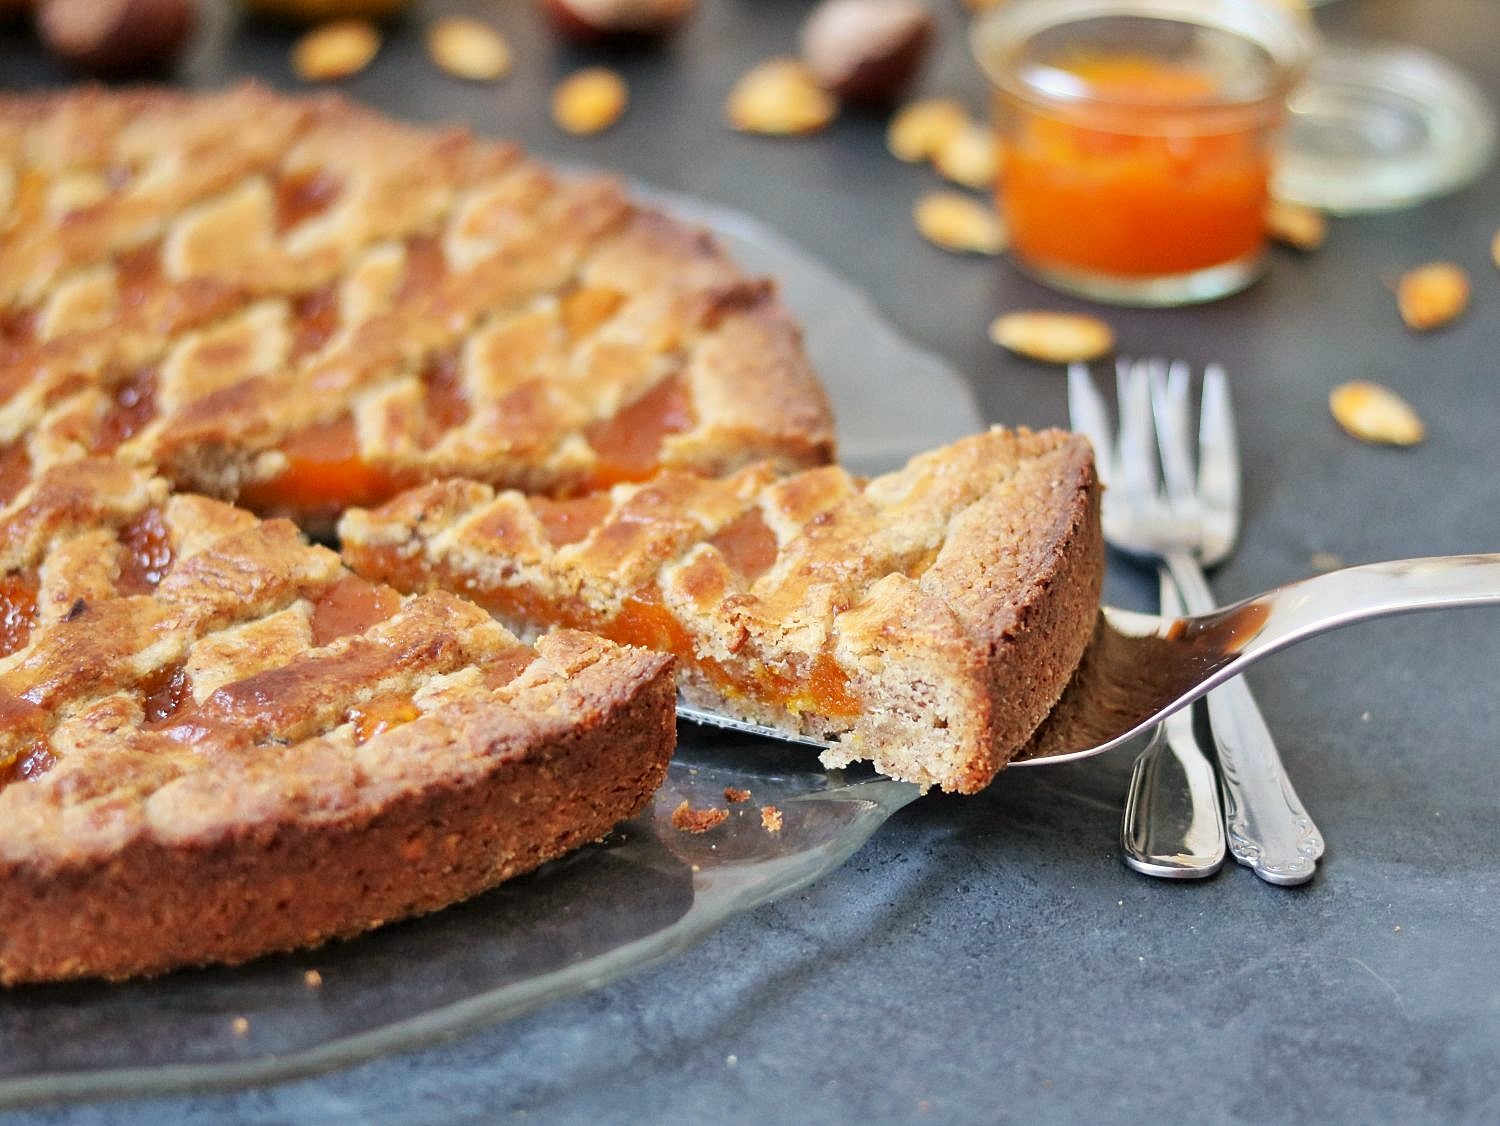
x: 1127, y: 197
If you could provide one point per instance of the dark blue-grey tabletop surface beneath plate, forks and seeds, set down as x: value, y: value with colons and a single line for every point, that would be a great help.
x: 991, y: 959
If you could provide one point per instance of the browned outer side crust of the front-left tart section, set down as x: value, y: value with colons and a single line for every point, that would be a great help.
x: 283, y: 884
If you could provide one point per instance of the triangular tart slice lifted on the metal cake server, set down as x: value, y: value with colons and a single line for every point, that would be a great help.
x: 928, y: 618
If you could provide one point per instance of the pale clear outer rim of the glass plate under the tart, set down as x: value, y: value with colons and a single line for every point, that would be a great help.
x: 944, y: 410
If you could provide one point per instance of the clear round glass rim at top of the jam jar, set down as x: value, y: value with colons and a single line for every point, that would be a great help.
x: 1289, y: 38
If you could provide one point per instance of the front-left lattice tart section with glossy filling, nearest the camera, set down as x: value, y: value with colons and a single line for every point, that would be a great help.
x: 217, y: 743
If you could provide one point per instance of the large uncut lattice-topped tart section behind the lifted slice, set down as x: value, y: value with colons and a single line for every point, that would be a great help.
x: 304, y: 305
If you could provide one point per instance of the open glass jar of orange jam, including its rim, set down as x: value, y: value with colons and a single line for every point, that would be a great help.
x: 1138, y: 139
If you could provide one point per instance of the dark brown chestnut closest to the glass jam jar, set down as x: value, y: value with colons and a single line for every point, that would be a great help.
x: 868, y: 52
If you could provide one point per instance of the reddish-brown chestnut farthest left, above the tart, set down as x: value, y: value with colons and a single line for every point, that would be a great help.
x: 112, y: 38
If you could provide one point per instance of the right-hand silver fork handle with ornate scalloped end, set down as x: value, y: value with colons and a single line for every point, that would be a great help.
x: 1270, y: 831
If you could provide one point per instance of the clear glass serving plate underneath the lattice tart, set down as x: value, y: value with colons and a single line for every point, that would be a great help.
x: 629, y: 902
